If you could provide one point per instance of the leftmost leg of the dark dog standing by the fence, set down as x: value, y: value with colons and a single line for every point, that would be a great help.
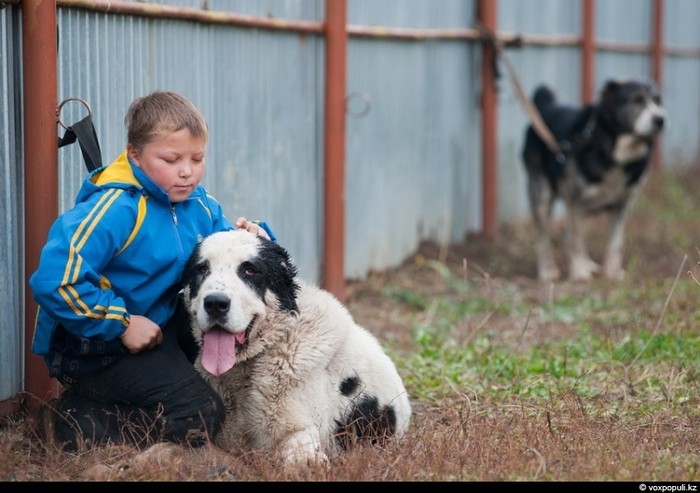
x: 541, y: 204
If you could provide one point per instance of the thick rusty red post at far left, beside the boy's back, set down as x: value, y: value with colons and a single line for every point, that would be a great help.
x: 40, y: 48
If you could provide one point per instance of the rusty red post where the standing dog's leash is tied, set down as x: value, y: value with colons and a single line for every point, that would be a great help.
x: 487, y: 15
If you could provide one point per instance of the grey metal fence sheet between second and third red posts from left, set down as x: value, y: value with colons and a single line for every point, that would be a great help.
x: 413, y: 159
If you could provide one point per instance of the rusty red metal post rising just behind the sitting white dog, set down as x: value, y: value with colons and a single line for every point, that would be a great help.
x: 334, y: 146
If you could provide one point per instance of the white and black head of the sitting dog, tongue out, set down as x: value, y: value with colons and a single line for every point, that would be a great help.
x: 234, y: 283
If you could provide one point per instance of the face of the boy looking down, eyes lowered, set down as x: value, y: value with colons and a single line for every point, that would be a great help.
x: 174, y: 161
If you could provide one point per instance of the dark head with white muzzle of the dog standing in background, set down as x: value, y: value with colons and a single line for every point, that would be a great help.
x: 633, y: 107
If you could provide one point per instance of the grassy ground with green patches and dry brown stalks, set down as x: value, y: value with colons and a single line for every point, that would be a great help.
x: 510, y: 379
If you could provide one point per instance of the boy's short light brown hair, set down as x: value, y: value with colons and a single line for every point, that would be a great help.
x: 161, y: 113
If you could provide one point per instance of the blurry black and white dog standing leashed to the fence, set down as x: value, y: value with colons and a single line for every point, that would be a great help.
x: 606, y: 150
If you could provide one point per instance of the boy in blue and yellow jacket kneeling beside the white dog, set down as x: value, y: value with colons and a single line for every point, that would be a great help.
x: 107, y: 289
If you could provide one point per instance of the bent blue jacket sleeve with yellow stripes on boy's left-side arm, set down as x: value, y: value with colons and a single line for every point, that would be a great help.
x: 67, y: 284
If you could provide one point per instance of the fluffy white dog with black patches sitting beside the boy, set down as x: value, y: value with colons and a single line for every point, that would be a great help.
x: 296, y: 373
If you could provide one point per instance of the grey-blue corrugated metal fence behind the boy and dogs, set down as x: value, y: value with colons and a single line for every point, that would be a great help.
x: 414, y: 143
